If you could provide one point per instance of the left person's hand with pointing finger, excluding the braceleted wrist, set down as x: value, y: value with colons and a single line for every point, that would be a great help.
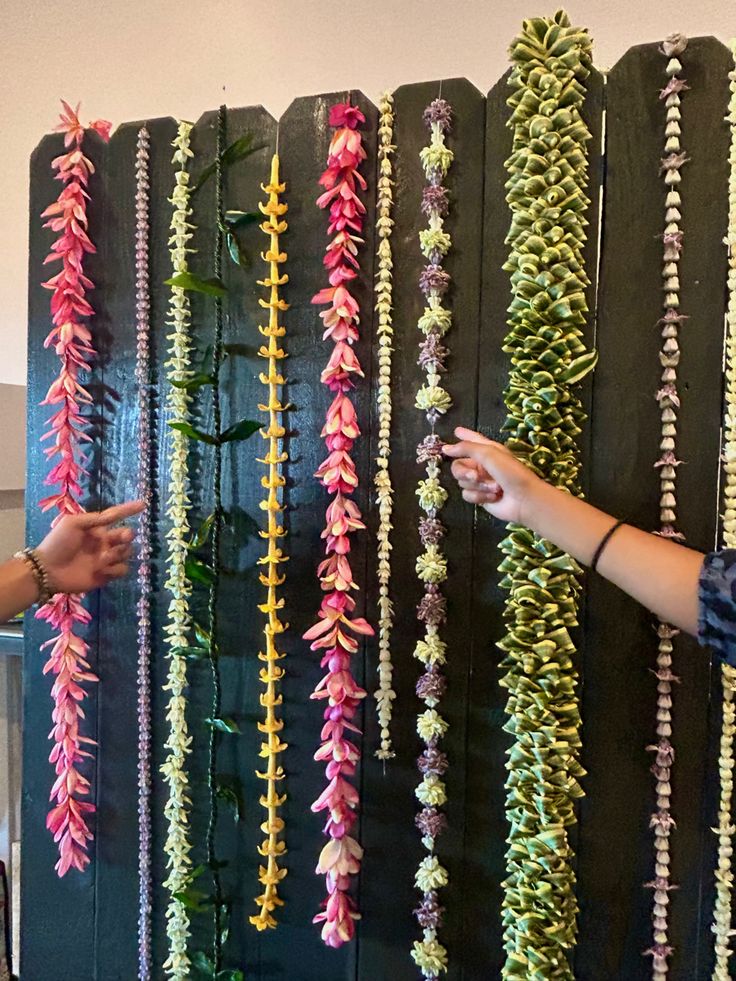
x: 84, y: 551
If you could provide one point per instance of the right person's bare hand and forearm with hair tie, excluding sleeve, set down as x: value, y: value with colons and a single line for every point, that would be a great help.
x: 659, y: 574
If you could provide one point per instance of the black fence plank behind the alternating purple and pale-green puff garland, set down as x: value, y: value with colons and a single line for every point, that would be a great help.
x: 392, y: 842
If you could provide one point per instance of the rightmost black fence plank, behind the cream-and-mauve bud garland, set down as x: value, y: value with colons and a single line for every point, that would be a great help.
x: 615, y: 851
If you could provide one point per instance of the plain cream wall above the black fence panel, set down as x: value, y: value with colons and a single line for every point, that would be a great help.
x: 142, y: 58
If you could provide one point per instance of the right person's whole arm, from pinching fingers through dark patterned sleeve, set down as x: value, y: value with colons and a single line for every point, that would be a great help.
x: 685, y: 588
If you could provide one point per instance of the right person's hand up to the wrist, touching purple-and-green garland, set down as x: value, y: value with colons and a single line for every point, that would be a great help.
x: 492, y: 477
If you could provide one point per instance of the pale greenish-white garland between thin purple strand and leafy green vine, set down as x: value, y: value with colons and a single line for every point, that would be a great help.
x: 178, y: 624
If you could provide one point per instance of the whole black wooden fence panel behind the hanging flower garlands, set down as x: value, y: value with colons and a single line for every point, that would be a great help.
x: 95, y: 940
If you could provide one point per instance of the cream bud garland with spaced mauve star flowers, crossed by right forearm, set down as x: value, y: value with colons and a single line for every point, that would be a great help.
x: 662, y: 821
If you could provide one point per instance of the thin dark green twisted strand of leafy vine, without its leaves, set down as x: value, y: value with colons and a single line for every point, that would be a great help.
x: 215, y: 553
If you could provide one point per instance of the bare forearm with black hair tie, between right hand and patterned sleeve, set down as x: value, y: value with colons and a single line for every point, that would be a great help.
x: 659, y: 574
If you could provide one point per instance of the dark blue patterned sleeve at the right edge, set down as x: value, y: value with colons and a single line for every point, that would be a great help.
x: 717, y: 594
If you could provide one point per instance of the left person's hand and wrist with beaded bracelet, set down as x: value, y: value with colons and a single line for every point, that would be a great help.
x: 82, y: 552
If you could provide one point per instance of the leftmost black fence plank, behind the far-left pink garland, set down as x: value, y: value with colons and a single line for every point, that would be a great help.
x: 43, y: 932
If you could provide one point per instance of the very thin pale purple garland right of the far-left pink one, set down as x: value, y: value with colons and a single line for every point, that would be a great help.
x: 143, y: 390
